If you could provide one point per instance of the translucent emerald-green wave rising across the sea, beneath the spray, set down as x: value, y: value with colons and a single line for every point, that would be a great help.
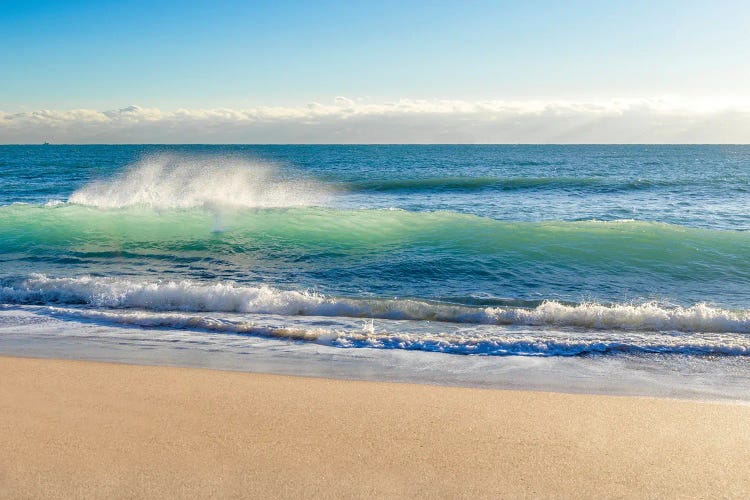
x: 635, y: 243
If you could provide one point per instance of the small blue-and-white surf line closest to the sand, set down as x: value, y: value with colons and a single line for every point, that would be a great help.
x: 382, y: 334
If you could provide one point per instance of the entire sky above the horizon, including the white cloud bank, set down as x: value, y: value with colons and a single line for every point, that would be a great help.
x: 385, y: 71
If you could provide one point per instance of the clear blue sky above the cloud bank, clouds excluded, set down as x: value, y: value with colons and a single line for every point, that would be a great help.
x: 237, y: 55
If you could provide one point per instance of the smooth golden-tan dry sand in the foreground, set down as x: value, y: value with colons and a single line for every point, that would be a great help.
x: 85, y: 429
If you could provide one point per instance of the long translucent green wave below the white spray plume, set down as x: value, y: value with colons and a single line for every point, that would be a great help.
x: 313, y: 232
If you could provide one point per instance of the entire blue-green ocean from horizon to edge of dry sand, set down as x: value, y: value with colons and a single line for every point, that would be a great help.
x: 618, y: 269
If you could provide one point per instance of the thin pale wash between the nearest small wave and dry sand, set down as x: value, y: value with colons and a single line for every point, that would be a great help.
x: 697, y: 378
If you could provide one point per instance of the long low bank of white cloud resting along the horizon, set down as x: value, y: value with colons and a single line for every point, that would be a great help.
x: 657, y: 120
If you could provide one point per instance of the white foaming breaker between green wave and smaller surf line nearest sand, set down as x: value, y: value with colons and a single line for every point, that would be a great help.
x: 228, y: 297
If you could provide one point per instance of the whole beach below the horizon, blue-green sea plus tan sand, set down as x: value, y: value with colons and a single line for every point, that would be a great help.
x: 275, y: 321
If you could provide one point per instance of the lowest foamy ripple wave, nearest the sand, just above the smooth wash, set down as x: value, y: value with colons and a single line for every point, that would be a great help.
x: 478, y: 340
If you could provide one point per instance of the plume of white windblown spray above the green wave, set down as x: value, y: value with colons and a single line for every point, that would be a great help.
x: 175, y: 181
